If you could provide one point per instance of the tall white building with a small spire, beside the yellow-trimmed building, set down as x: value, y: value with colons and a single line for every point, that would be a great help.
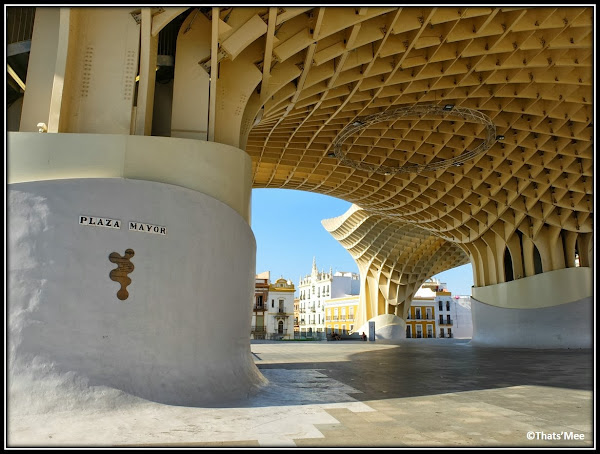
x: 315, y: 290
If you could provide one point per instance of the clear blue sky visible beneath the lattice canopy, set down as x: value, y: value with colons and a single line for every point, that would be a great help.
x: 288, y: 231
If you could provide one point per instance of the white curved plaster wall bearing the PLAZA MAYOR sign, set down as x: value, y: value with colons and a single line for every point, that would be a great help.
x: 181, y: 337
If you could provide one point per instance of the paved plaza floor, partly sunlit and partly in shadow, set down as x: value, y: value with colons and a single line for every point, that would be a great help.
x: 350, y: 394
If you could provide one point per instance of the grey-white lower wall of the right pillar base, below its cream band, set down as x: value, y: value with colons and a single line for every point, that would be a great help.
x: 560, y: 326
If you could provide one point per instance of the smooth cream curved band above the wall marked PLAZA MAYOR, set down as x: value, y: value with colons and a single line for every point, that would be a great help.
x: 218, y: 170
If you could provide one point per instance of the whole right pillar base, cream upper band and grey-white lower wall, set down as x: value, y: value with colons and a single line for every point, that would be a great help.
x: 548, y: 310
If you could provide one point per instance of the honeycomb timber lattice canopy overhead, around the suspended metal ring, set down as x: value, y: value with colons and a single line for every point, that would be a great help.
x: 528, y: 69
